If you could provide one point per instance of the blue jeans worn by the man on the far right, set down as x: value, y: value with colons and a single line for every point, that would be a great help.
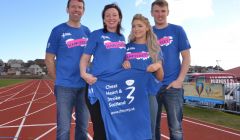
x: 172, y: 99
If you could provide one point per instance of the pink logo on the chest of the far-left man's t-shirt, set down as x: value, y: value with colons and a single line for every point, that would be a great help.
x: 76, y: 43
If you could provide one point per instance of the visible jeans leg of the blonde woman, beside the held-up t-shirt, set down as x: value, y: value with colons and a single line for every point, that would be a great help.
x: 153, y: 113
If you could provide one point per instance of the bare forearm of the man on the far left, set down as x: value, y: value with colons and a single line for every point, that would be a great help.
x: 50, y: 63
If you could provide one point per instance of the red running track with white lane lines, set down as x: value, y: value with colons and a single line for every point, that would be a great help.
x: 27, y: 111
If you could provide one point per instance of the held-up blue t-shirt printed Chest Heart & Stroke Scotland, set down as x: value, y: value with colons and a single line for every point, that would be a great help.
x: 123, y: 98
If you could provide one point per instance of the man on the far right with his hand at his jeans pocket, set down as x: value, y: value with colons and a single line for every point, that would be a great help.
x: 173, y: 41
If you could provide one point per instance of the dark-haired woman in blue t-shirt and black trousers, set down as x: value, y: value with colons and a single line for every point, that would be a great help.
x: 107, y: 46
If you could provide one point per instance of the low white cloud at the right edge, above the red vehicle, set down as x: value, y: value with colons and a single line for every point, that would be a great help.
x: 219, y: 43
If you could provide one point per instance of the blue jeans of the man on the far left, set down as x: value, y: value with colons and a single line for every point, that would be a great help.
x: 68, y: 98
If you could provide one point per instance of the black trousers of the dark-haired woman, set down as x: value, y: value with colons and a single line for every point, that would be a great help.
x: 97, y: 121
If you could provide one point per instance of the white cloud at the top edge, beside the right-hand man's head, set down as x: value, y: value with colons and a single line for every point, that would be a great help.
x: 181, y: 10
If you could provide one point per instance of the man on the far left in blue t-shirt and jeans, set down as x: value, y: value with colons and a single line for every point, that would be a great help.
x: 66, y: 44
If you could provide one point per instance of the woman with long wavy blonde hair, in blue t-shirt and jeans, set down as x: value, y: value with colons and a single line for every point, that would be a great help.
x: 143, y: 53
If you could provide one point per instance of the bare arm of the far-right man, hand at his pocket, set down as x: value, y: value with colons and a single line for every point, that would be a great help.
x: 186, y: 59
